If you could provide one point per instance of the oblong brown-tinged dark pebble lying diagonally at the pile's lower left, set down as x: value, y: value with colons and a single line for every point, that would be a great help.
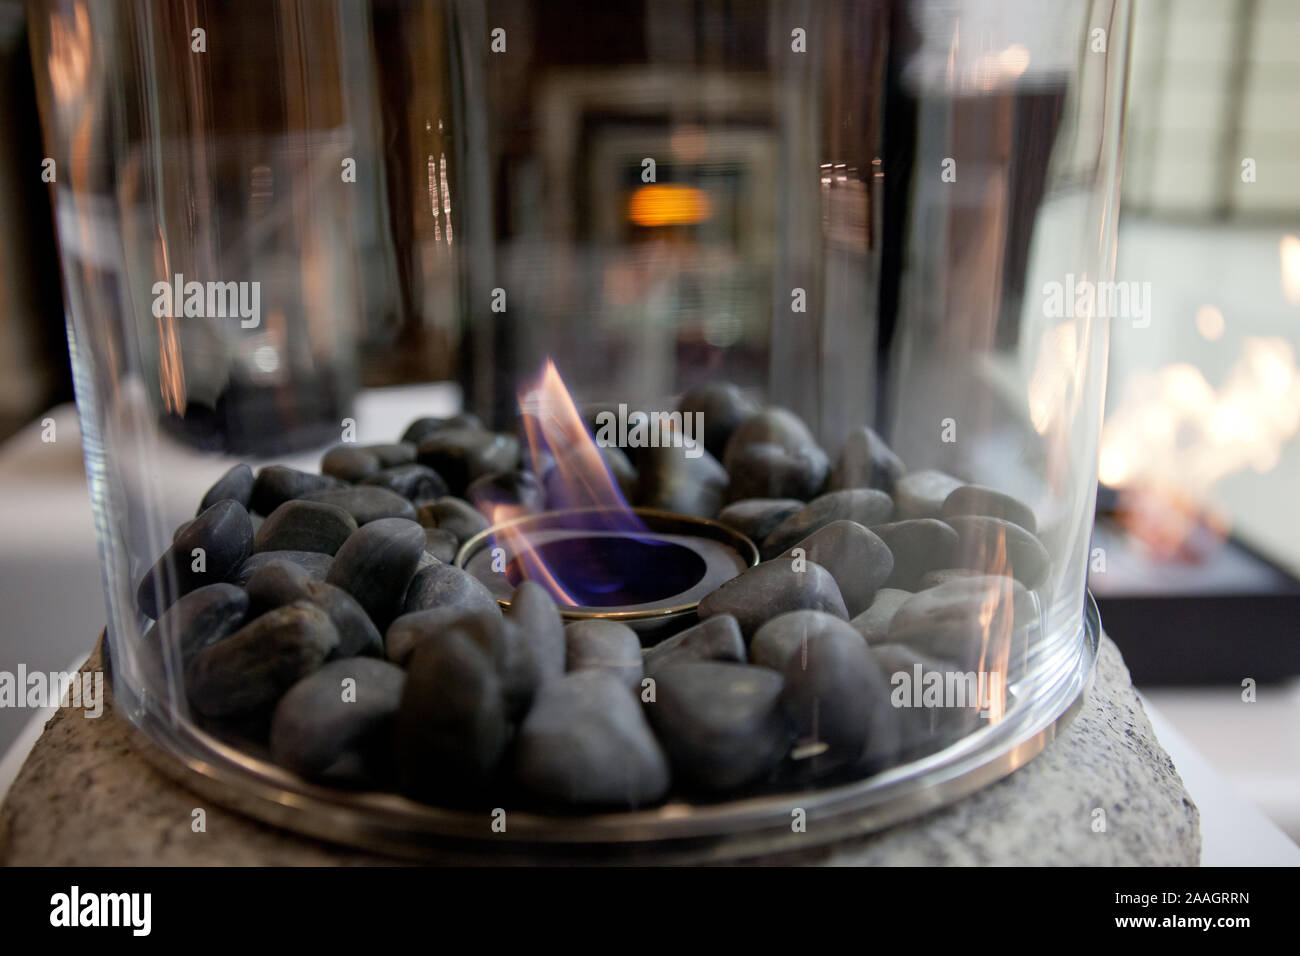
x: 253, y: 668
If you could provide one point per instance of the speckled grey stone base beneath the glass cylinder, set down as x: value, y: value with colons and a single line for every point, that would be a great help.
x: 85, y: 799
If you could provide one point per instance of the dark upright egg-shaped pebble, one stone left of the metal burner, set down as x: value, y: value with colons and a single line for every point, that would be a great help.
x: 376, y: 566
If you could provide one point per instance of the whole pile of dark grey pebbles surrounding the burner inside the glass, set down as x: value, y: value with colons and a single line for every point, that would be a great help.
x: 327, y: 628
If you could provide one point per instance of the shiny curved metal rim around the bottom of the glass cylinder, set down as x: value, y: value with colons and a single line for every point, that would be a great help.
x: 675, y: 833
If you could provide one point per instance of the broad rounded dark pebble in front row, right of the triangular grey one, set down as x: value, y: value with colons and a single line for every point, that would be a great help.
x: 722, y: 725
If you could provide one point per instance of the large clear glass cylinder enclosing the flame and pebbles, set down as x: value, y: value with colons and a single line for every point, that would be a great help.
x: 583, y: 408
